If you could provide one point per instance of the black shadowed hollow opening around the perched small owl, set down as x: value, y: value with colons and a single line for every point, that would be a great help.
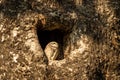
x: 46, y: 36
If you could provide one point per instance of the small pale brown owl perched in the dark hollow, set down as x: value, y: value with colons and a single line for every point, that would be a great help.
x: 52, y: 50
